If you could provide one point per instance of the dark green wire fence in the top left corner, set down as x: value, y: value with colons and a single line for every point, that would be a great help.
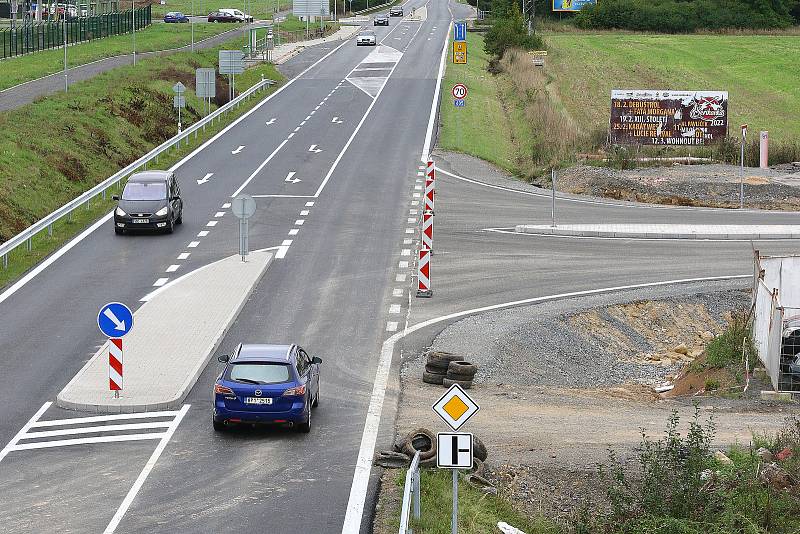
x: 35, y: 36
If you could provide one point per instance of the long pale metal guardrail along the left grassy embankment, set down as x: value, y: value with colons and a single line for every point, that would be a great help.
x: 27, y: 235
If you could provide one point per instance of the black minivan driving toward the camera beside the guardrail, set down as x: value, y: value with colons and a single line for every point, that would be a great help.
x: 151, y: 200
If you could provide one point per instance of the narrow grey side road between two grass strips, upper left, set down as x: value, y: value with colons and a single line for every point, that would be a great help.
x: 20, y: 95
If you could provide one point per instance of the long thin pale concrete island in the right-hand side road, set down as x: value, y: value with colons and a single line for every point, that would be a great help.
x: 667, y: 231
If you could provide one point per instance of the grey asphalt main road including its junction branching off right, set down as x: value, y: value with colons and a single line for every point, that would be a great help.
x: 335, y: 292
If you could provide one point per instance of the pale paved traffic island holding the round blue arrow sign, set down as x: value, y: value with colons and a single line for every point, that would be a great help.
x: 174, y: 334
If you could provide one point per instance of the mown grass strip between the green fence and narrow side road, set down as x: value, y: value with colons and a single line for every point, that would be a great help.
x: 21, y: 69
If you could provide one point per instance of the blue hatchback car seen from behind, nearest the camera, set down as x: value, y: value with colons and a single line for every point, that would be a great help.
x: 277, y: 384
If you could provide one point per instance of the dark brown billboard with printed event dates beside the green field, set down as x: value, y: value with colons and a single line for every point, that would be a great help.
x: 656, y: 117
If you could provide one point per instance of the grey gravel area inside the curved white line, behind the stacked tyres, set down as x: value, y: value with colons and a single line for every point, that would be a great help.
x: 554, y: 353
